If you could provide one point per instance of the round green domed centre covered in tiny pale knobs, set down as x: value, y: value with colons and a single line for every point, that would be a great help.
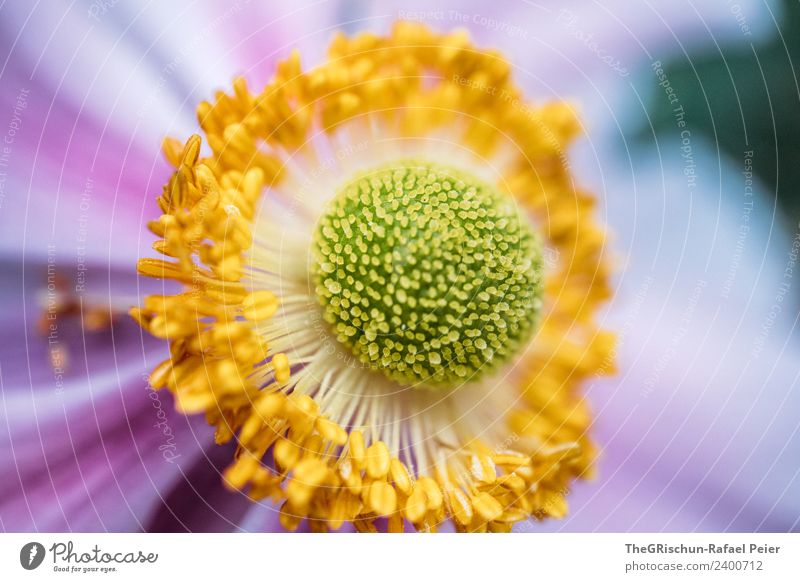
x: 427, y: 274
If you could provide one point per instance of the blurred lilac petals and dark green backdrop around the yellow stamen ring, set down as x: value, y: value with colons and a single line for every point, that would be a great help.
x: 692, y: 145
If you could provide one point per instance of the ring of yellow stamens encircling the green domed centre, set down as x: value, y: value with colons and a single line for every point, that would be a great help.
x: 348, y: 447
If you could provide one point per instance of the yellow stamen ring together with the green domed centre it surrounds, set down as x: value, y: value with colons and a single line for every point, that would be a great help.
x: 365, y: 308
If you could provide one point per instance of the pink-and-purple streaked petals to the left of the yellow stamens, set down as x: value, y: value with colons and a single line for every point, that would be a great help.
x: 87, y: 447
